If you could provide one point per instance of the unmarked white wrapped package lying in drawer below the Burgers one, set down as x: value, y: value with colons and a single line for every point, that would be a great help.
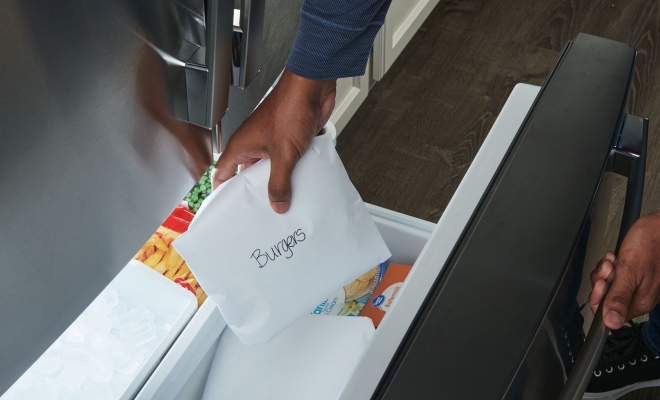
x: 314, y: 359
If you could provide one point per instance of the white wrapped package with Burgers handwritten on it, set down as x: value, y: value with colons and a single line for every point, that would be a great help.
x: 266, y: 270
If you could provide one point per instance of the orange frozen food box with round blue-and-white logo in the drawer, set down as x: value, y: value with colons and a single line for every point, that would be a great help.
x: 385, y: 294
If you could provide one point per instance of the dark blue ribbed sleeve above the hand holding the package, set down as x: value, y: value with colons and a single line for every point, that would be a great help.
x: 335, y: 37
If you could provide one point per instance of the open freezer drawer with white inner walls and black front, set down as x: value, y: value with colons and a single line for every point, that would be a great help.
x: 477, y: 296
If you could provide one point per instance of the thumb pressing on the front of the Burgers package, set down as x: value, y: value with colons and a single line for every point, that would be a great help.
x: 279, y: 184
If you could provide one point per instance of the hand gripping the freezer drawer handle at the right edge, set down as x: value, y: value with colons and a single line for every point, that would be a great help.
x: 635, y: 290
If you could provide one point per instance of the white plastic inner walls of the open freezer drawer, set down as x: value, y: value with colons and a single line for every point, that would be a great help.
x: 183, y: 371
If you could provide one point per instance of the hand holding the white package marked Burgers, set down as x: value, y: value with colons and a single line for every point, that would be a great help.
x: 281, y: 129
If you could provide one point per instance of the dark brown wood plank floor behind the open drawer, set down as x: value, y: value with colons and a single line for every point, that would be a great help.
x: 412, y: 140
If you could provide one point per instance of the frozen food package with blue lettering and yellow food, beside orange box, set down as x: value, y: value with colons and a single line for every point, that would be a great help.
x: 350, y: 299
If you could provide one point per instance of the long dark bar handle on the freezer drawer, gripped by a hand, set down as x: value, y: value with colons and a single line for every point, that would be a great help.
x: 628, y: 158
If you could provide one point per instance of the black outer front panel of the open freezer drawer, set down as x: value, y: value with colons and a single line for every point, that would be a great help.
x: 480, y: 319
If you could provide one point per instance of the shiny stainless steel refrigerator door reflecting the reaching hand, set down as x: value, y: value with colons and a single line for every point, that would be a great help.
x: 92, y: 160
